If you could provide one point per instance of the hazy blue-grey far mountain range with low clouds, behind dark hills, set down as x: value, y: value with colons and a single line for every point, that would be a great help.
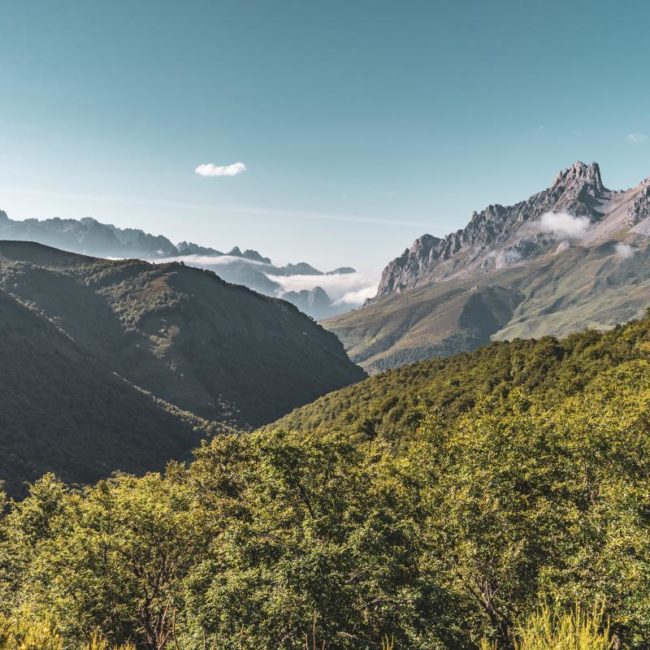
x: 250, y: 268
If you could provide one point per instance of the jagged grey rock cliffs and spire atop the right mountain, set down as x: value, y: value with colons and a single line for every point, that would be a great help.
x: 498, y: 235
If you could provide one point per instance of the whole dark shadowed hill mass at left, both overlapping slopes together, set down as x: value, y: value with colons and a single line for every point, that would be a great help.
x: 125, y: 364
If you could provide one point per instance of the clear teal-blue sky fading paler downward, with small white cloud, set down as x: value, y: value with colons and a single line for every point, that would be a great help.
x: 327, y: 131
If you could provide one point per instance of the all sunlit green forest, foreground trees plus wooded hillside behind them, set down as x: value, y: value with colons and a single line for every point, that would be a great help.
x: 463, y: 503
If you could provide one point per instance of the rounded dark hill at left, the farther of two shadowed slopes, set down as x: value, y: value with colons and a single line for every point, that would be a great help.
x: 218, y: 350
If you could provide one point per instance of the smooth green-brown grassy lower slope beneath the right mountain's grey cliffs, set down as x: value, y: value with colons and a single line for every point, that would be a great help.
x: 555, y: 295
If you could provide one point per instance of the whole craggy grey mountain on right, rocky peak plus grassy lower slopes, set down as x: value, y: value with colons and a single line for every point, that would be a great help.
x: 573, y: 256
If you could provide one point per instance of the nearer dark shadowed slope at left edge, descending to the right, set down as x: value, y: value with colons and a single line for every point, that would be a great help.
x: 61, y: 410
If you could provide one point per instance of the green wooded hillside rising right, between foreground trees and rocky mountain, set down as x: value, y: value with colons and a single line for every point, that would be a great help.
x: 394, y: 404
